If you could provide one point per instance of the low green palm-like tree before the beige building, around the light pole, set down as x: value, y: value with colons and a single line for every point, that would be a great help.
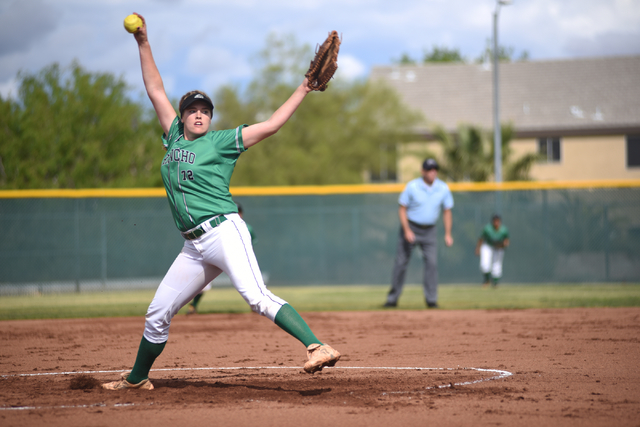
x: 468, y: 154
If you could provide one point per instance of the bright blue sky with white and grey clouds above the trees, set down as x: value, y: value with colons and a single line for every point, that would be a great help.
x: 207, y: 43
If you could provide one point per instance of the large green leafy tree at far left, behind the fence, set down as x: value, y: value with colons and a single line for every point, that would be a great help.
x: 71, y: 128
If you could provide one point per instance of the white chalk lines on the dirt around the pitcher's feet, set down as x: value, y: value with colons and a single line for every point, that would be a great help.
x: 500, y: 375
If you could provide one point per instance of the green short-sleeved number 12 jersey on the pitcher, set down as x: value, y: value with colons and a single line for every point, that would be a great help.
x: 196, y: 174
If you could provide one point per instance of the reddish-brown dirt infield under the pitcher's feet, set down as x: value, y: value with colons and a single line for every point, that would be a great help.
x: 573, y: 367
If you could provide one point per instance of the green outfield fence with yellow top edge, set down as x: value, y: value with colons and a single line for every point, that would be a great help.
x: 77, y: 240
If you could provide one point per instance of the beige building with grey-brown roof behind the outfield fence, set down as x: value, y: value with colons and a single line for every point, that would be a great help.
x: 582, y: 115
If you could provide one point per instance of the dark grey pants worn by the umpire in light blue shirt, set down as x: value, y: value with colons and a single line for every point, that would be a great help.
x: 427, y: 239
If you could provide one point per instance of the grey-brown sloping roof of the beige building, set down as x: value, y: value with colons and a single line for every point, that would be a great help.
x: 576, y: 96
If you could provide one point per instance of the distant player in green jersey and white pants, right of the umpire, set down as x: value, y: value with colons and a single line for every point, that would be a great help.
x: 491, y: 244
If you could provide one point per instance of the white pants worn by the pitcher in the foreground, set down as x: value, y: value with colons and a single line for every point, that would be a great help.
x: 227, y: 248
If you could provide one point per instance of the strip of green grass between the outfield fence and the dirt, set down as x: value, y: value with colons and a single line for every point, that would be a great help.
x: 329, y: 298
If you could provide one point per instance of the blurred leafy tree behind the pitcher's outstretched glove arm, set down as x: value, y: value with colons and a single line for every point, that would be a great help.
x: 332, y: 138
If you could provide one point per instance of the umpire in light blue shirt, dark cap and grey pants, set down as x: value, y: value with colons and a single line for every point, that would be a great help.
x: 420, y: 205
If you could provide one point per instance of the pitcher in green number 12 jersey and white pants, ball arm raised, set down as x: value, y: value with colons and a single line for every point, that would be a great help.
x: 196, y: 171
